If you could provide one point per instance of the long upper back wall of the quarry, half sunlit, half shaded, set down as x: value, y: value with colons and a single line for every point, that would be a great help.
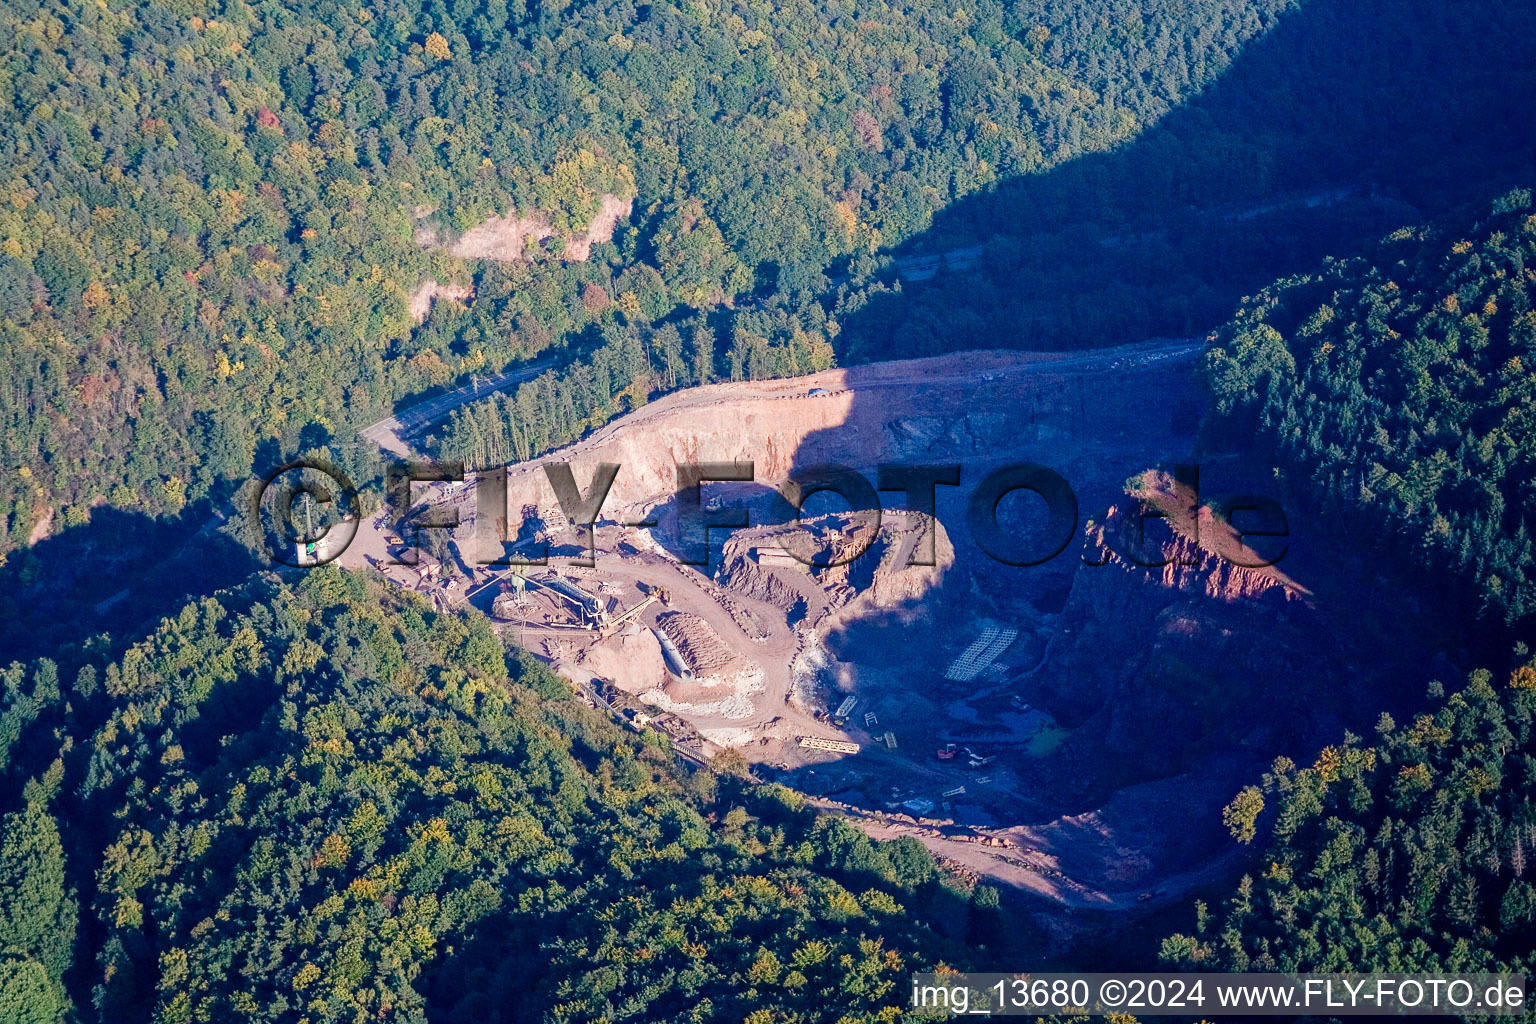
x: 922, y: 411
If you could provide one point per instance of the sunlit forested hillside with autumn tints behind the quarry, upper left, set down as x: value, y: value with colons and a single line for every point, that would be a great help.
x: 213, y: 217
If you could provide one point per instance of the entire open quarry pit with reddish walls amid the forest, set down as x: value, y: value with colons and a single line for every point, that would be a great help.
x: 1050, y: 727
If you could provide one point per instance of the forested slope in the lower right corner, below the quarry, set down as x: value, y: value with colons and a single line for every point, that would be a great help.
x: 1406, y: 856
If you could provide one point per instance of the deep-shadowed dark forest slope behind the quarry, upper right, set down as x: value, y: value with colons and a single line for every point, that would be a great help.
x: 1345, y: 122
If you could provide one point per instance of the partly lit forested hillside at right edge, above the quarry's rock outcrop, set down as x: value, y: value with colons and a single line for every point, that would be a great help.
x: 1400, y: 388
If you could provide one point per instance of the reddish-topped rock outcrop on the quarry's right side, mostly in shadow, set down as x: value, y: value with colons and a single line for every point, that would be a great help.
x: 1173, y: 661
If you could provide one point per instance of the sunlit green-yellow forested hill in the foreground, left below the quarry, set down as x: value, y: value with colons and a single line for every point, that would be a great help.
x: 325, y: 802
